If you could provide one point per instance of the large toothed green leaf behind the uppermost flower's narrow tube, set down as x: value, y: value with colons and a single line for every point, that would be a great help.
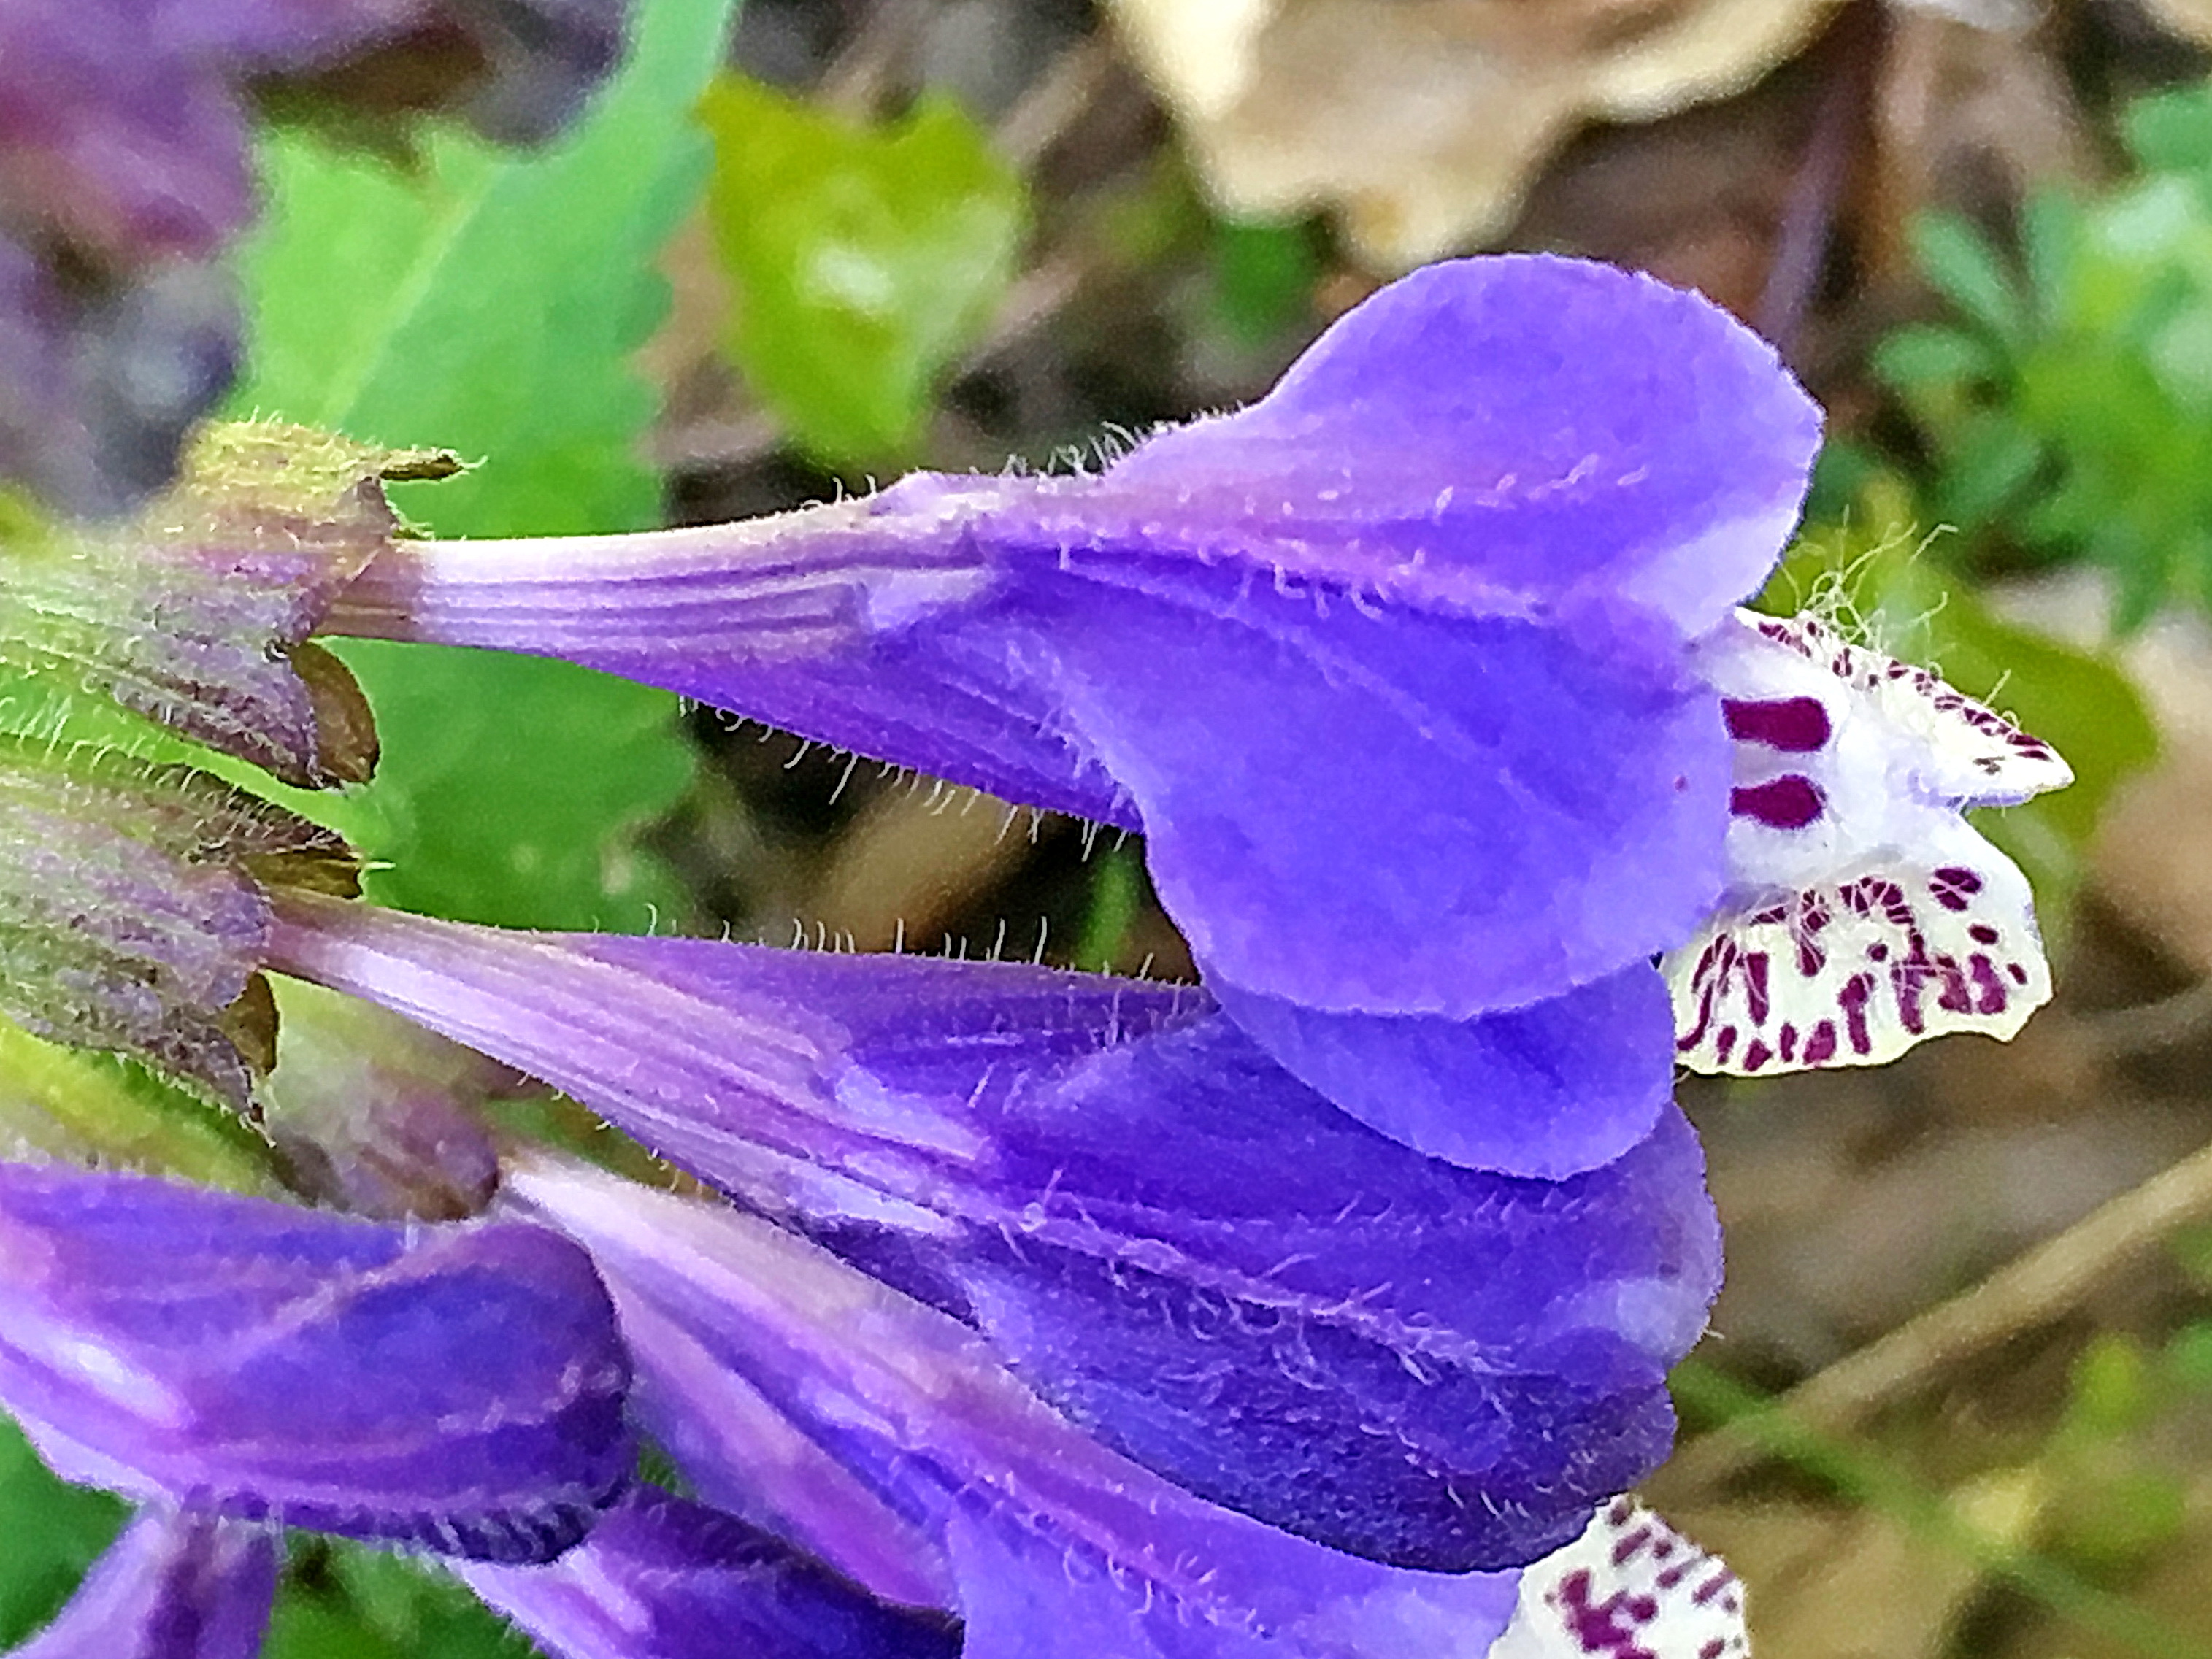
x: 494, y: 302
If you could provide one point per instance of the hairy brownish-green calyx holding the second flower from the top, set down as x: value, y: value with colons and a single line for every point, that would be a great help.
x: 134, y: 908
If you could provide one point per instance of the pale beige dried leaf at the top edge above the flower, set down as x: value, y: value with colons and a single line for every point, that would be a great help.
x: 1426, y: 121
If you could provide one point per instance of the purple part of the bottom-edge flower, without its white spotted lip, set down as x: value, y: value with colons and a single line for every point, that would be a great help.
x: 1052, y: 1538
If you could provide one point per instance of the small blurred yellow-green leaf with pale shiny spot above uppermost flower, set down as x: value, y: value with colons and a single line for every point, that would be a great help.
x: 864, y: 262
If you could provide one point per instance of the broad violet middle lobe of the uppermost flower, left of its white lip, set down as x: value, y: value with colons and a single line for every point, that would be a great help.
x: 1404, y: 815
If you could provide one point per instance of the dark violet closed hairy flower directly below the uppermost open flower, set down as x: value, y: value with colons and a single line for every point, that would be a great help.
x: 1151, y: 1222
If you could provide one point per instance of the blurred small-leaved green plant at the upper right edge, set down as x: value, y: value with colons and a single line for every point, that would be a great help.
x: 2067, y: 410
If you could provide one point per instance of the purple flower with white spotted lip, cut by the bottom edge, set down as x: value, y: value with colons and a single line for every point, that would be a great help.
x: 755, y: 1348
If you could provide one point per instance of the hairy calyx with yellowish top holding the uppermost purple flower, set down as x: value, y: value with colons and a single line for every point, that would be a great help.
x: 198, y: 614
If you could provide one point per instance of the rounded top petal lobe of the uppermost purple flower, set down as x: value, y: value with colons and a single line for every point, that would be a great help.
x: 1492, y: 437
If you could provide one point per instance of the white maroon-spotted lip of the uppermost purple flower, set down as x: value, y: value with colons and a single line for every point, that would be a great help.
x: 1864, y: 912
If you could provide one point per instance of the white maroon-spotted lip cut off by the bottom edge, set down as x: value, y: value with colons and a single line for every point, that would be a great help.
x: 1629, y: 1589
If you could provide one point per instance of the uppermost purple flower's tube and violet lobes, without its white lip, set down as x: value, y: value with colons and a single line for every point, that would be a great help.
x: 1392, y: 669
